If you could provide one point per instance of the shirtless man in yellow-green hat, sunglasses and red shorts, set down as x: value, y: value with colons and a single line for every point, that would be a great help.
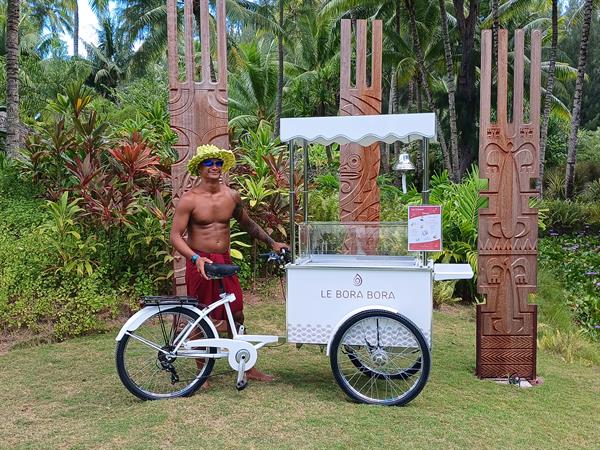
x: 204, y: 212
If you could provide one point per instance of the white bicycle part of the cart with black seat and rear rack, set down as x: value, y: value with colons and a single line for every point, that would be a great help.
x: 169, y: 347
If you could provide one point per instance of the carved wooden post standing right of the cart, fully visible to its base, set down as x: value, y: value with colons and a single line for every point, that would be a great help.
x: 508, y: 230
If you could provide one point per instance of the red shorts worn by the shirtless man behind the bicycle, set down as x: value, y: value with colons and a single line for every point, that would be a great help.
x: 207, y: 291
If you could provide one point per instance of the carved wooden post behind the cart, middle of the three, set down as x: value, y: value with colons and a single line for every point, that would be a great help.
x: 359, y: 167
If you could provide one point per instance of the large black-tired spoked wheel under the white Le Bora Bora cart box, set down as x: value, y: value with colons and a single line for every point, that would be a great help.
x: 380, y: 357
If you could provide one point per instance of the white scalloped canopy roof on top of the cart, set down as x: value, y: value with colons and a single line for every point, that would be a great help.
x: 364, y: 130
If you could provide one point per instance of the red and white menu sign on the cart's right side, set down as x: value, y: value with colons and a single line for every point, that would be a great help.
x: 425, y: 228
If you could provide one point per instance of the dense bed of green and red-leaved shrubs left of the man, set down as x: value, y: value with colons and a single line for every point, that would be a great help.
x: 102, y: 238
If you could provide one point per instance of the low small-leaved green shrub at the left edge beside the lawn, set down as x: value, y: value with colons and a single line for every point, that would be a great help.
x: 32, y: 293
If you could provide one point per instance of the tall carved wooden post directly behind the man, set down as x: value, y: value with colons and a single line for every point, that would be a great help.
x: 198, y: 108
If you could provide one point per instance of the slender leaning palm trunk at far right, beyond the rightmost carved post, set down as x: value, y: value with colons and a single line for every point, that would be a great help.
x: 576, y: 113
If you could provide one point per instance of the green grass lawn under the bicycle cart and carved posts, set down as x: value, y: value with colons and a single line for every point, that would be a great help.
x: 68, y: 395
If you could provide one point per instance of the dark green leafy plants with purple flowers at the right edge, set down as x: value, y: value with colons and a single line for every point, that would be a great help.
x: 575, y: 260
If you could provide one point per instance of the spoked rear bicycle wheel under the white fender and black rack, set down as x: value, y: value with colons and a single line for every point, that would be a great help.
x: 147, y: 365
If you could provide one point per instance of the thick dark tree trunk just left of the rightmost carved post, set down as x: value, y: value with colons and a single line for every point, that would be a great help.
x: 466, y: 95
